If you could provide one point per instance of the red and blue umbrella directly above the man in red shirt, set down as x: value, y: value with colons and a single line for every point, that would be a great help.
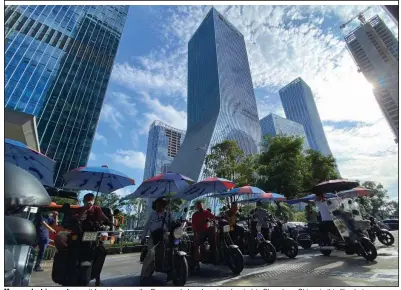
x: 209, y: 185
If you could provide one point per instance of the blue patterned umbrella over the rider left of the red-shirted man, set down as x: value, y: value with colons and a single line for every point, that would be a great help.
x: 161, y: 185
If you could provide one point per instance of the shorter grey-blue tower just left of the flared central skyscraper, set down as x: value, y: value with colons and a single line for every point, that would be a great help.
x: 163, y: 145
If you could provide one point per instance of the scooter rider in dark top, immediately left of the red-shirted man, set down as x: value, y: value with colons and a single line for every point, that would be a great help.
x: 157, y: 224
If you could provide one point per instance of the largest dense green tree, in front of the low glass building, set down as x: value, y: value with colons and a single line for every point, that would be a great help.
x: 281, y: 165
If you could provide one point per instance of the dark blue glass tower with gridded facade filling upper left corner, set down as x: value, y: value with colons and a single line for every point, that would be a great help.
x: 58, y: 61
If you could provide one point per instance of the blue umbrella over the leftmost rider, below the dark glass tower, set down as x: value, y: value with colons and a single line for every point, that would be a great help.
x: 100, y: 179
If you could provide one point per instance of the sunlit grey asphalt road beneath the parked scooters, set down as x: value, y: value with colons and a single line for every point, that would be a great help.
x: 309, y: 268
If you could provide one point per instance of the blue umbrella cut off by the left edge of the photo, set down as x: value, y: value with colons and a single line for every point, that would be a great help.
x: 39, y: 165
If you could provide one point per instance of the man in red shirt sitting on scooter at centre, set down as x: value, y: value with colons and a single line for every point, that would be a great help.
x: 202, y: 231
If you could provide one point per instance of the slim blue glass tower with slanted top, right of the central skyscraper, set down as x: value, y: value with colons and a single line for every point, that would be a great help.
x: 299, y: 106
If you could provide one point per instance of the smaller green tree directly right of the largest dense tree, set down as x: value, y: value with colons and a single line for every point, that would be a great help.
x: 318, y: 168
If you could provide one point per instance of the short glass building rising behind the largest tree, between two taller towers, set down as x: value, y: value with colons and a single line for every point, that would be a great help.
x: 274, y: 125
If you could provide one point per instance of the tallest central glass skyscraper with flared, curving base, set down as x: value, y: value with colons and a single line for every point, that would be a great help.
x: 221, y: 100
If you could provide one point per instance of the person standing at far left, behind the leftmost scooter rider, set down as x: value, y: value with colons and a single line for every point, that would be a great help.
x: 44, y: 222
